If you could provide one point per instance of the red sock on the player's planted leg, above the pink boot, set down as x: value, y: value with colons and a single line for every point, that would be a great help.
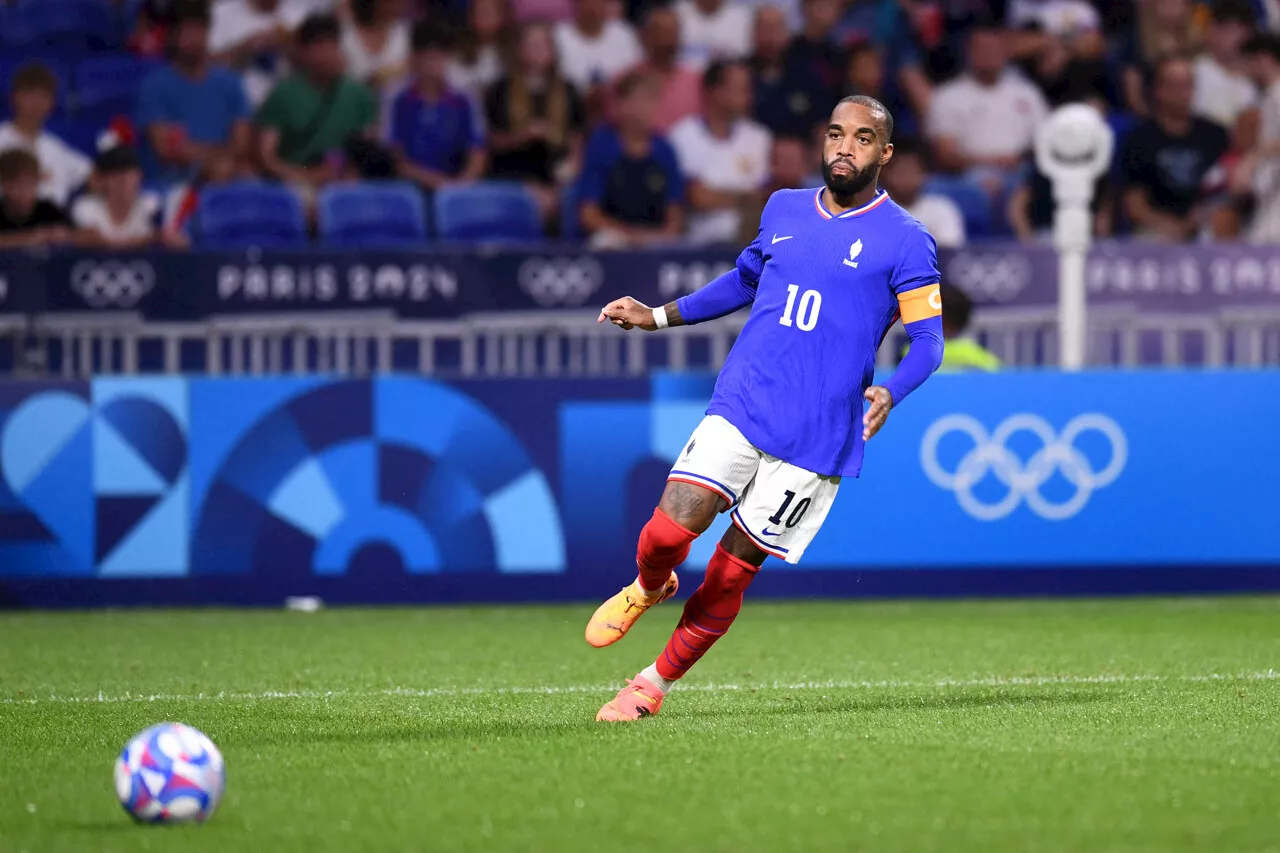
x: 708, y: 614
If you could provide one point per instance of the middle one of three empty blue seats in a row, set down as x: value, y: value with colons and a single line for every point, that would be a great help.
x: 372, y: 215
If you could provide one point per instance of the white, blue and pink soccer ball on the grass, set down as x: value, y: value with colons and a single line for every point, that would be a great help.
x: 171, y: 774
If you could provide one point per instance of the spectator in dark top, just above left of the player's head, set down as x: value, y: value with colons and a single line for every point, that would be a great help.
x: 790, y: 99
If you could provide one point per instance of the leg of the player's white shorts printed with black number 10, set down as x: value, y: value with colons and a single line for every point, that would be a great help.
x: 784, y: 509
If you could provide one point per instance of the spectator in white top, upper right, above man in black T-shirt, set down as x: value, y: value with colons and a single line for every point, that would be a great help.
x: 1223, y: 85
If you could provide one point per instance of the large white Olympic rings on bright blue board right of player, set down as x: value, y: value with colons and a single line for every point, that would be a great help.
x: 991, y: 455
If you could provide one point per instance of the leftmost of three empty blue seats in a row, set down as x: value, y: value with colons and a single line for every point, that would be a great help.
x: 250, y: 215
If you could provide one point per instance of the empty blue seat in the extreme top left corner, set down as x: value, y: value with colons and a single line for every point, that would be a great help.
x: 66, y: 28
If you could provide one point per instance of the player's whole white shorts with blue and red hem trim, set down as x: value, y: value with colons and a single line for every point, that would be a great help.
x: 780, y: 507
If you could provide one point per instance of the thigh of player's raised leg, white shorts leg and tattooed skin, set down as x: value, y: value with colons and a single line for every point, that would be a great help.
x: 710, y: 476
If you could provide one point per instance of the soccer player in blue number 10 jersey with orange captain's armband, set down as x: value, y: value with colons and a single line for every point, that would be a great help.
x: 828, y: 276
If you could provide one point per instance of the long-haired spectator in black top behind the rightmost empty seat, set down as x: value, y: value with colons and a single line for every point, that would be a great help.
x: 536, y: 118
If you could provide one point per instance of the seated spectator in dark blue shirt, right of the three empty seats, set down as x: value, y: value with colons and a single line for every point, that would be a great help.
x: 632, y: 190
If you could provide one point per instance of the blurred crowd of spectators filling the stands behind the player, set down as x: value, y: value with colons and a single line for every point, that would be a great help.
x: 644, y: 122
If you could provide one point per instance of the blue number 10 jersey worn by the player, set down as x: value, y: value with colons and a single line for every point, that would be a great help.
x: 825, y: 291
